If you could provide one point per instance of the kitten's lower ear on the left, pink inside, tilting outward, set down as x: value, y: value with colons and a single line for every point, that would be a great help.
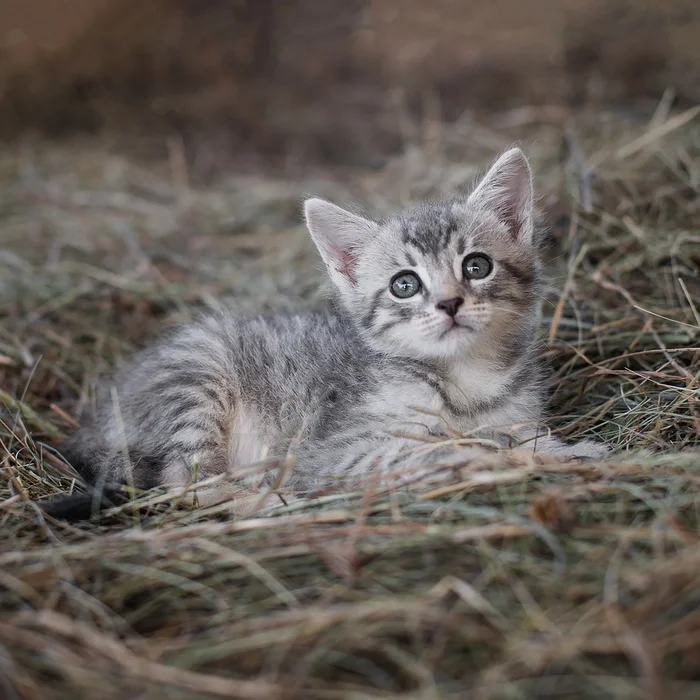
x: 339, y: 235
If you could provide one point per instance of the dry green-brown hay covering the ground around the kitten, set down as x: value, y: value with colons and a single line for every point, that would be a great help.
x: 521, y: 581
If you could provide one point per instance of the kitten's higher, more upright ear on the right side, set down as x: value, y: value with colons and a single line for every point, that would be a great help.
x: 507, y: 190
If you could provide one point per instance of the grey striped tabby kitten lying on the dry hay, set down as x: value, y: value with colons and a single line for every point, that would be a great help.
x: 434, y: 309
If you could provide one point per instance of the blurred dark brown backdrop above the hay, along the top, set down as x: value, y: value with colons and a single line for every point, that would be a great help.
x: 329, y: 79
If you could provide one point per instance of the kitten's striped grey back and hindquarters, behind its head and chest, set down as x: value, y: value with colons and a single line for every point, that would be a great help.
x: 226, y: 389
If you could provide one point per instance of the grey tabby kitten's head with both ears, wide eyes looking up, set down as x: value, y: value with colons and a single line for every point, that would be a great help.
x: 440, y: 280
